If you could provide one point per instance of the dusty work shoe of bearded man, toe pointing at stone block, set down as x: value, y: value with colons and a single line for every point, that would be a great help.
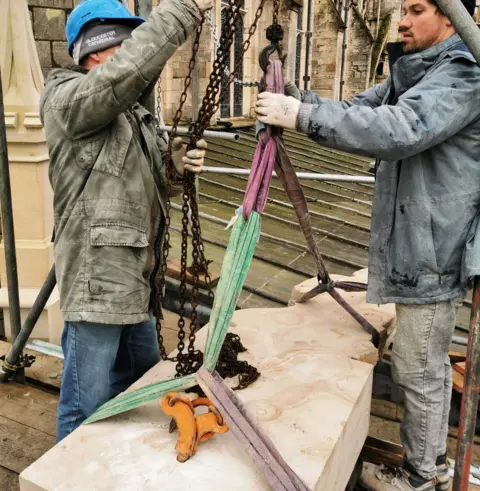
x: 383, y: 478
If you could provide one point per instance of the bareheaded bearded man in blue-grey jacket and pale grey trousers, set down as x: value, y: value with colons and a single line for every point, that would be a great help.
x: 423, y: 127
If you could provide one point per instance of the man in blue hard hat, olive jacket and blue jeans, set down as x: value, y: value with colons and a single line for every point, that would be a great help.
x: 110, y: 189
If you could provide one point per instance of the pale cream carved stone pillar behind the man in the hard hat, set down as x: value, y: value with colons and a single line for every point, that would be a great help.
x: 22, y: 81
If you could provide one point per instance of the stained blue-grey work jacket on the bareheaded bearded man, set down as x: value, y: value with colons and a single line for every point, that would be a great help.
x: 423, y: 125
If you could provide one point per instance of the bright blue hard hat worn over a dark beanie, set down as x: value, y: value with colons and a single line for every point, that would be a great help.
x: 101, y: 10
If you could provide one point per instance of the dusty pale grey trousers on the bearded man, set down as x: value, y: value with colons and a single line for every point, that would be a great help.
x: 421, y: 368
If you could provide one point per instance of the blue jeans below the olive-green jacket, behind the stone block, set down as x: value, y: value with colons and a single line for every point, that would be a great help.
x: 101, y: 361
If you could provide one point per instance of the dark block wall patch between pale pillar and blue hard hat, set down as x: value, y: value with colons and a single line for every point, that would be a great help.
x: 48, y: 19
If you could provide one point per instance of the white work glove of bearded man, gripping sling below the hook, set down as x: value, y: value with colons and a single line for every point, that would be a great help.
x: 277, y: 110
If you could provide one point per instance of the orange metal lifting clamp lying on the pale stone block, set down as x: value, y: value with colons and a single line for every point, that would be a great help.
x: 192, y: 429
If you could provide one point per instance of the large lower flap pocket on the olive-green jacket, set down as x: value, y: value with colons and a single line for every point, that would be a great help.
x: 118, y: 254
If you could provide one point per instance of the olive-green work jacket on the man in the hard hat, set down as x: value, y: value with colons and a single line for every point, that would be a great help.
x: 107, y: 172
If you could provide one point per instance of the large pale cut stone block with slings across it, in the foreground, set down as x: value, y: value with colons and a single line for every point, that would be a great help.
x: 313, y: 400
